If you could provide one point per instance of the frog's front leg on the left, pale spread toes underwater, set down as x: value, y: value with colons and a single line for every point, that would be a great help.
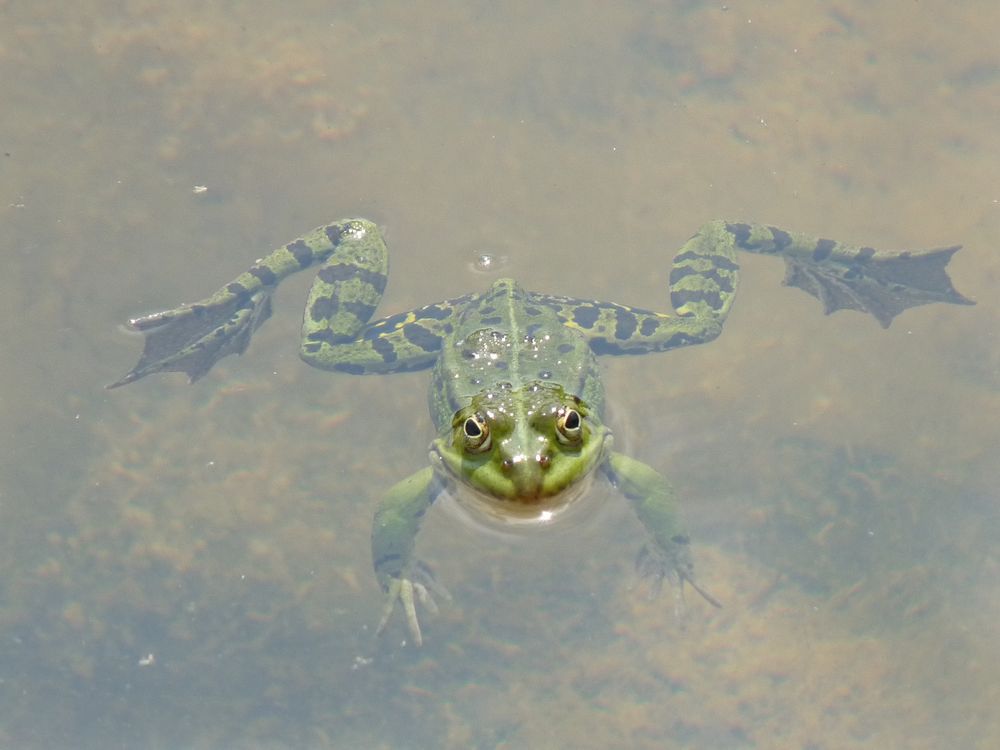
x: 394, y: 532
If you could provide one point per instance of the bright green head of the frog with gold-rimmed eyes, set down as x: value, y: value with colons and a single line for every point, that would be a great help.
x: 526, y: 446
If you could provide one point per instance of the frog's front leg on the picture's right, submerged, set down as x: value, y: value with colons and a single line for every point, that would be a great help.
x: 655, y: 503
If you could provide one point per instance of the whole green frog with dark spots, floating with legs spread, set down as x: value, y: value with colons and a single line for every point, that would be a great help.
x: 516, y: 395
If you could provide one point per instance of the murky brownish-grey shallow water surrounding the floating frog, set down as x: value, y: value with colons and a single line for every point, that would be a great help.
x: 189, y: 566
